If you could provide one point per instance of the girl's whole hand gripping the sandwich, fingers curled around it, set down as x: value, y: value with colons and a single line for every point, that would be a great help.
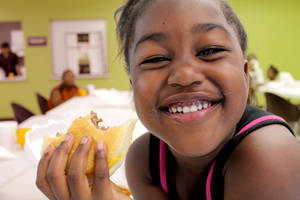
x: 57, y: 185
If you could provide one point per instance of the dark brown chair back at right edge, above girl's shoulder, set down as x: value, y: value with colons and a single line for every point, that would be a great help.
x: 282, y: 108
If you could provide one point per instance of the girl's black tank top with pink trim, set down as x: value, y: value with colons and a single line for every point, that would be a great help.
x: 162, y: 162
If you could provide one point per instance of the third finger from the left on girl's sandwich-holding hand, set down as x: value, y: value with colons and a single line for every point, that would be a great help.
x: 77, y: 179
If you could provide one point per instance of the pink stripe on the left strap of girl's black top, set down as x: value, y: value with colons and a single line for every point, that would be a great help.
x: 162, y: 165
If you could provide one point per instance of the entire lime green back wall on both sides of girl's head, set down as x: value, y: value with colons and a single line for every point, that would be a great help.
x: 272, y: 26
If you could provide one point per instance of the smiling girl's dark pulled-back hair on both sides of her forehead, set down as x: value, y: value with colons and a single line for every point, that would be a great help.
x: 130, y: 11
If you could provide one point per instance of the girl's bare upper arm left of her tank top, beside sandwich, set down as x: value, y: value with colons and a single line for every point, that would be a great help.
x: 138, y: 172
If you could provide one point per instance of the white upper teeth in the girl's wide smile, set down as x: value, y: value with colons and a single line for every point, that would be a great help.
x: 194, y: 107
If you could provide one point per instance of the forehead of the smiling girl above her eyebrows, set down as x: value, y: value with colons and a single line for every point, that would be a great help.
x: 167, y: 14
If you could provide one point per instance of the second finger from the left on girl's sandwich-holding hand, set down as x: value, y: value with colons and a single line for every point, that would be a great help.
x: 56, y: 171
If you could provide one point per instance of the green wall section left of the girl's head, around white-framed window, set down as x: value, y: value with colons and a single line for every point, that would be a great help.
x: 35, y: 16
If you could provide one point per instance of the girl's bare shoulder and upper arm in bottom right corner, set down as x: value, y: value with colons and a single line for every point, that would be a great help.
x: 265, y: 165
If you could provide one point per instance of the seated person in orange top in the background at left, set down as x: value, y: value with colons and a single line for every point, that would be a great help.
x: 65, y: 90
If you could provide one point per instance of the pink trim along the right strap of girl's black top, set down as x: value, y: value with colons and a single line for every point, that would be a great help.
x: 251, y: 124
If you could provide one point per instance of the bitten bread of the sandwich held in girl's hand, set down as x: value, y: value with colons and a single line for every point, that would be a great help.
x: 116, y: 139
